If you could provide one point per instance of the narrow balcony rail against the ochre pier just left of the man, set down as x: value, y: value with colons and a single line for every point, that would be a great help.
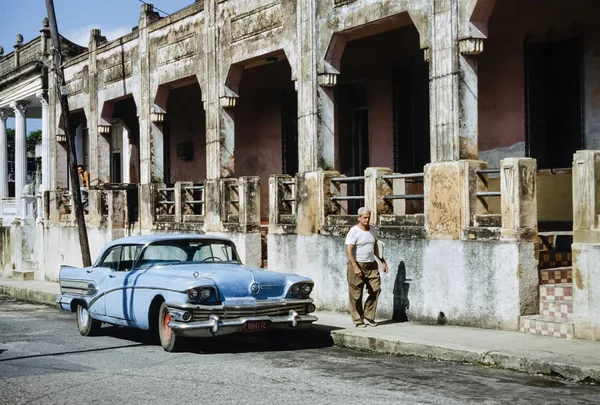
x: 282, y: 203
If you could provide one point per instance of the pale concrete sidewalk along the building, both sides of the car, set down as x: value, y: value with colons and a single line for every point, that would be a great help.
x: 577, y: 360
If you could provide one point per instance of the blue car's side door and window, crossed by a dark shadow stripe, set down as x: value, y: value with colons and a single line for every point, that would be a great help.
x: 120, y: 287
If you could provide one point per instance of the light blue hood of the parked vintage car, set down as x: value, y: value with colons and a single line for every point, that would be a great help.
x: 235, y: 281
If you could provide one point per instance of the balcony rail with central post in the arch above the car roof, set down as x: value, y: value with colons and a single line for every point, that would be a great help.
x: 182, y: 202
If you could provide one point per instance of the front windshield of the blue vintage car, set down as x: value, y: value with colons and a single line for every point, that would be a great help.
x: 188, y: 251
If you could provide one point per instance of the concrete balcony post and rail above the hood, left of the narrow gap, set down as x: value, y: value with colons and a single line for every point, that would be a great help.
x: 240, y: 204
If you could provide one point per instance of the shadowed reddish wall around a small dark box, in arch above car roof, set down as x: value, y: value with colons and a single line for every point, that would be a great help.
x: 187, y: 122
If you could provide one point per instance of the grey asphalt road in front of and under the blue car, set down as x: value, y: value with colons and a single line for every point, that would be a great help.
x: 44, y: 360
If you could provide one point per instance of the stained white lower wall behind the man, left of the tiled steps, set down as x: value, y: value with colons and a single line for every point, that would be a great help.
x: 483, y: 284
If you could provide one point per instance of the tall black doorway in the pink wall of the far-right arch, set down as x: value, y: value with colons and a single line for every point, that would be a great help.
x: 553, y: 96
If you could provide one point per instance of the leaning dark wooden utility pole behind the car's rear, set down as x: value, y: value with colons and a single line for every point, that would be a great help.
x: 71, y: 154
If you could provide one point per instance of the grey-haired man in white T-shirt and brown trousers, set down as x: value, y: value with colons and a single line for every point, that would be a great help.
x: 363, y: 270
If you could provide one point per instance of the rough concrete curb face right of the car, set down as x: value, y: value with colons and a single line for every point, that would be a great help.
x: 506, y: 361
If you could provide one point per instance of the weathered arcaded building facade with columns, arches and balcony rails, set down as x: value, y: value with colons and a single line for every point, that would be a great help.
x: 468, y: 126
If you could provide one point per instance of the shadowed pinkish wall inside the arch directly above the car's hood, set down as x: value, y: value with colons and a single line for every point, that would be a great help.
x: 258, y: 125
